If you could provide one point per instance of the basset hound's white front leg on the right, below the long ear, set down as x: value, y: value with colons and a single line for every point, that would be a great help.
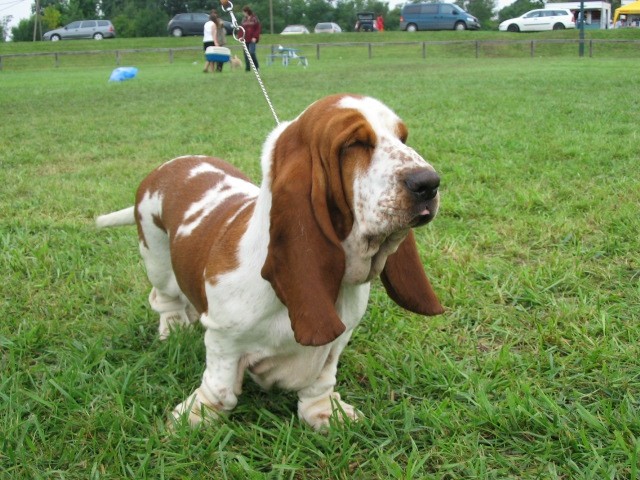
x: 318, y: 402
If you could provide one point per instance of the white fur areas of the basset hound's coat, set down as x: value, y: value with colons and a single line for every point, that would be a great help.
x: 247, y: 327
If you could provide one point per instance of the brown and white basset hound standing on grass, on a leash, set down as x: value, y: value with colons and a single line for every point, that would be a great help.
x: 279, y: 275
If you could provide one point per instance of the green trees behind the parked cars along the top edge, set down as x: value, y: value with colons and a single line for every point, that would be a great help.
x: 149, y: 18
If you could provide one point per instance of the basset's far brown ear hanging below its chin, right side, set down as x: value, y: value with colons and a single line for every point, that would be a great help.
x: 406, y: 282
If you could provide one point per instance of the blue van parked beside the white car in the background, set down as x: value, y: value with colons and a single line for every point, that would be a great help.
x: 436, y: 16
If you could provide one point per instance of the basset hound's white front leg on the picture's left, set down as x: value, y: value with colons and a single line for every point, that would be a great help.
x: 217, y: 392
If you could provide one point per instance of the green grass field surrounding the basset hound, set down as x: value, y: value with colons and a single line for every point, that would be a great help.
x: 533, y: 372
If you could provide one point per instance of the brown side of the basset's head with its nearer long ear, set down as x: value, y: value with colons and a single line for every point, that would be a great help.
x: 310, y: 215
